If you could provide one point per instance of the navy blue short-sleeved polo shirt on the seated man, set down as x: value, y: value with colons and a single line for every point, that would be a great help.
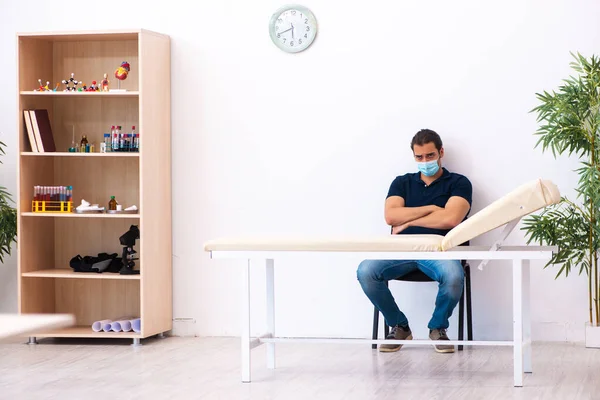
x: 417, y: 194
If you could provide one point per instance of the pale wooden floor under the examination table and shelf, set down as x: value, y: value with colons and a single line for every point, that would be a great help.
x: 208, y: 368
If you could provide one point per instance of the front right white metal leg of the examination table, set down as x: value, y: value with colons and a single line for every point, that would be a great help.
x: 518, y: 321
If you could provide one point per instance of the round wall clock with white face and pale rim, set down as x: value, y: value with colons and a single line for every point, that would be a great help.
x: 293, y: 28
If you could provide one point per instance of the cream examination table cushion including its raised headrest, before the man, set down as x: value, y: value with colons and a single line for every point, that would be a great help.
x: 524, y: 200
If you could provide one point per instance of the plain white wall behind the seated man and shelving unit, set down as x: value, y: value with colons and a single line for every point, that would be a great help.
x: 271, y: 143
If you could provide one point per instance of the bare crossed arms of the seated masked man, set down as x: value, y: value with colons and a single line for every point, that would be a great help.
x: 400, y: 217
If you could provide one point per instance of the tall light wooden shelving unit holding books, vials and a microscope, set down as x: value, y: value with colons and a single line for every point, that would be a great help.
x: 48, y: 241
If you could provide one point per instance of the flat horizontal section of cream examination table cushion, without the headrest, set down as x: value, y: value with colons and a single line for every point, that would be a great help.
x: 366, y: 244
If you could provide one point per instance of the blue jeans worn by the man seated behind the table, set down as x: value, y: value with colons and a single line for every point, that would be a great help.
x: 373, y: 275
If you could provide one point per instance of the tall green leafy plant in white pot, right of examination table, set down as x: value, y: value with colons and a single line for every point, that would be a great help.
x: 569, y: 119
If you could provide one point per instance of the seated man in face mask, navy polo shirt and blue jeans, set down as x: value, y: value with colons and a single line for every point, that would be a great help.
x: 431, y: 201
